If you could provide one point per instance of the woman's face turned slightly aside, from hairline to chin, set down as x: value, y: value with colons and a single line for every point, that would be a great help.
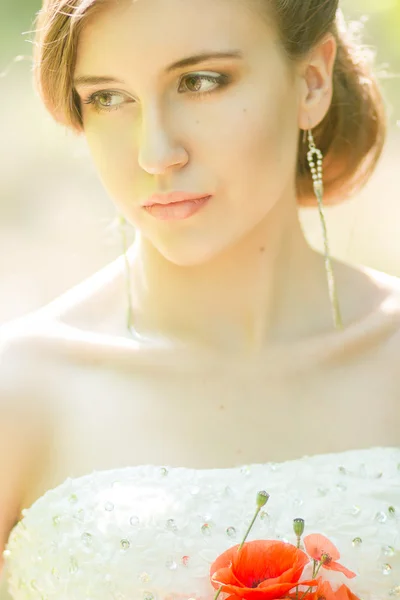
x: 225, y: 126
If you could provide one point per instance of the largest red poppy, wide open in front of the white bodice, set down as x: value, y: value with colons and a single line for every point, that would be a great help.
x: 262, y: 570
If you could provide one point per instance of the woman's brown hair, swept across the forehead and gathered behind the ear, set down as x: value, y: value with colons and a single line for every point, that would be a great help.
x: 351, y: 136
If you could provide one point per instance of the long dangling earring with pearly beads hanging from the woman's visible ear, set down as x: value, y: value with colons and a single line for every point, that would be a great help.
x: 316, y: 174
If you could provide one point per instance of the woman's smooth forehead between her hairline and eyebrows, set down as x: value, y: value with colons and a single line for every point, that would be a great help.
x: 153, y: 33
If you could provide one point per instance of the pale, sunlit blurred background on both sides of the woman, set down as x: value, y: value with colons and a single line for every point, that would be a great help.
x: 57, y: 223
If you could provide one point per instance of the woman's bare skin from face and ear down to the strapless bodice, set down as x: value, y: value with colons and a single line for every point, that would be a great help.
x: 240, y: 362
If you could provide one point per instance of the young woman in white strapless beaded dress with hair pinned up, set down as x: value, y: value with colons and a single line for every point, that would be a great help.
x: 220, y: 344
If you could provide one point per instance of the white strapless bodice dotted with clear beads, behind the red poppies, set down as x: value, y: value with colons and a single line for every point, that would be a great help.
x: 151, y: 533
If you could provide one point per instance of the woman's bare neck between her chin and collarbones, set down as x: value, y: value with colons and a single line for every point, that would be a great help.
x: 270, y: 287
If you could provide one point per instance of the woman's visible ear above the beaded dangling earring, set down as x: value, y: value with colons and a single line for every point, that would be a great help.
x: 316, y: 83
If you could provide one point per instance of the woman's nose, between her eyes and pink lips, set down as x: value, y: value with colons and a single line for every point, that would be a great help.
x: 159, y: 150
